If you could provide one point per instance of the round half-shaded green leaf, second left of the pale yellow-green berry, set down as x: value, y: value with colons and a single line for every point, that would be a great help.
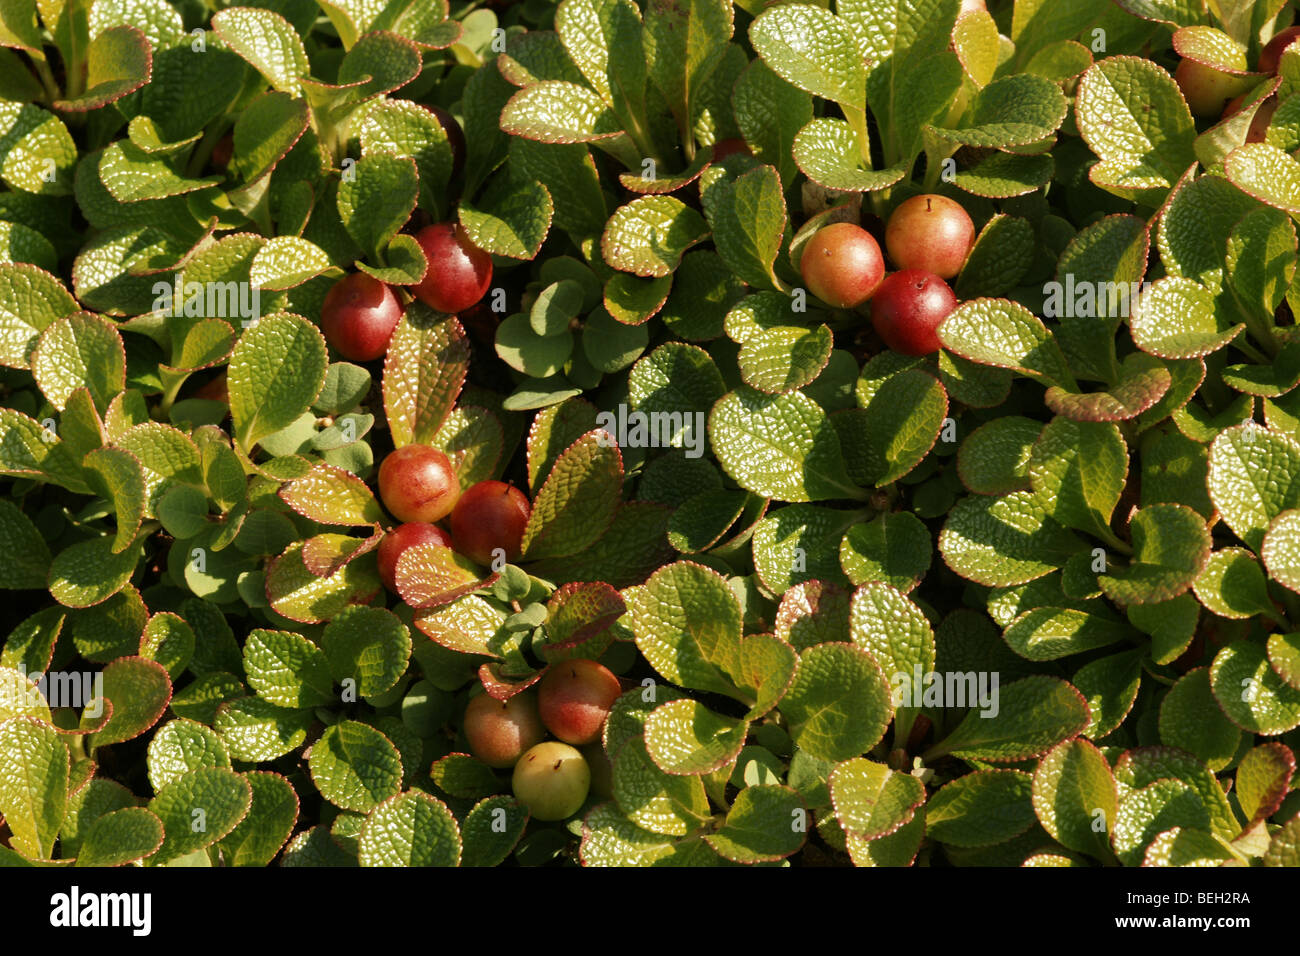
x: 356, y: 768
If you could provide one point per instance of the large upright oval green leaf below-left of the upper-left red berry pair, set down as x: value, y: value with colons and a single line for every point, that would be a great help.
x: 276, y: 373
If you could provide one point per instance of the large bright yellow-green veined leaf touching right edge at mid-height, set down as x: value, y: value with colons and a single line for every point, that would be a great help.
x: 1254, y: 478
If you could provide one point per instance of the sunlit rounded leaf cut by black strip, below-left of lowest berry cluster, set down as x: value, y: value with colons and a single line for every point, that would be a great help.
x: 413, y: 829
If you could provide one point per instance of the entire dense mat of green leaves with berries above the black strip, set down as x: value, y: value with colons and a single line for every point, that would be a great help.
x: 1026, y: 595
